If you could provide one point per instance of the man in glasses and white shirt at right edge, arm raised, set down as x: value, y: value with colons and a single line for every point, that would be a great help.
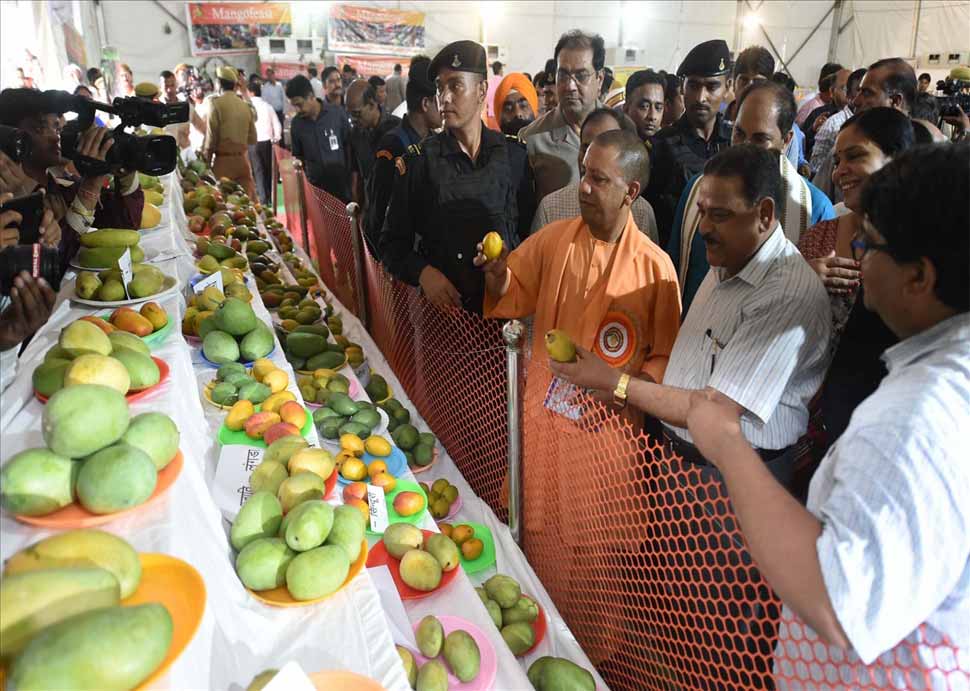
x: 877, y: 565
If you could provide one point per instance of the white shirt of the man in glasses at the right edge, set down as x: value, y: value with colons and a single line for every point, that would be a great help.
x: 893, y: 496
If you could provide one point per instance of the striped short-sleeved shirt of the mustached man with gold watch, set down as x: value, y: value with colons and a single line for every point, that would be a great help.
x: 760, y: 338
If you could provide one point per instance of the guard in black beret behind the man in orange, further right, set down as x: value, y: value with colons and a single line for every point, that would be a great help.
x: 680, y: 150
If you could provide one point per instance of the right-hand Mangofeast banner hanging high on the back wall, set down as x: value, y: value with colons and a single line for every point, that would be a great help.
x: 373, y: 29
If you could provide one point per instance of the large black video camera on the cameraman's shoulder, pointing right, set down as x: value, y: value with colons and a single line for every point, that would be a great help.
x: 154, y: 154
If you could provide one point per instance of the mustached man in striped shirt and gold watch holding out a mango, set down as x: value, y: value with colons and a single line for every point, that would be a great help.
x: 757, y: 333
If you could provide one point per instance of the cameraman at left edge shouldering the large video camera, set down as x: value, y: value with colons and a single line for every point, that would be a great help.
x: 78, y: 203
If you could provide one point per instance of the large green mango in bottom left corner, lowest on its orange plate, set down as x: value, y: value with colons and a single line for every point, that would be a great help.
x: 128, y: 643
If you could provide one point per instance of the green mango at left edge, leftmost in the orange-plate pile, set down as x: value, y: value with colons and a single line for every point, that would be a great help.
x: 37, y: 482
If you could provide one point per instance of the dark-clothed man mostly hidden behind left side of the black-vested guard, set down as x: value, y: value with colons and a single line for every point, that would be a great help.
x: 421, y: 118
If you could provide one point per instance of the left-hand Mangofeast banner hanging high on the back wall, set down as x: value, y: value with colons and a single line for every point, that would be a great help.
x: 233, y: 27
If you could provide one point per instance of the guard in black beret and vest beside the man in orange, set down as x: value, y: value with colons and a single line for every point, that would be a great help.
x: 464, y: 182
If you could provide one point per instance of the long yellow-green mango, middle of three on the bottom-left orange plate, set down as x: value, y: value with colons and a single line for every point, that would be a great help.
x: 33, y: 600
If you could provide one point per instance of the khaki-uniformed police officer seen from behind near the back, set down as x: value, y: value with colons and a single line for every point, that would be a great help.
x: 230, y: 129
